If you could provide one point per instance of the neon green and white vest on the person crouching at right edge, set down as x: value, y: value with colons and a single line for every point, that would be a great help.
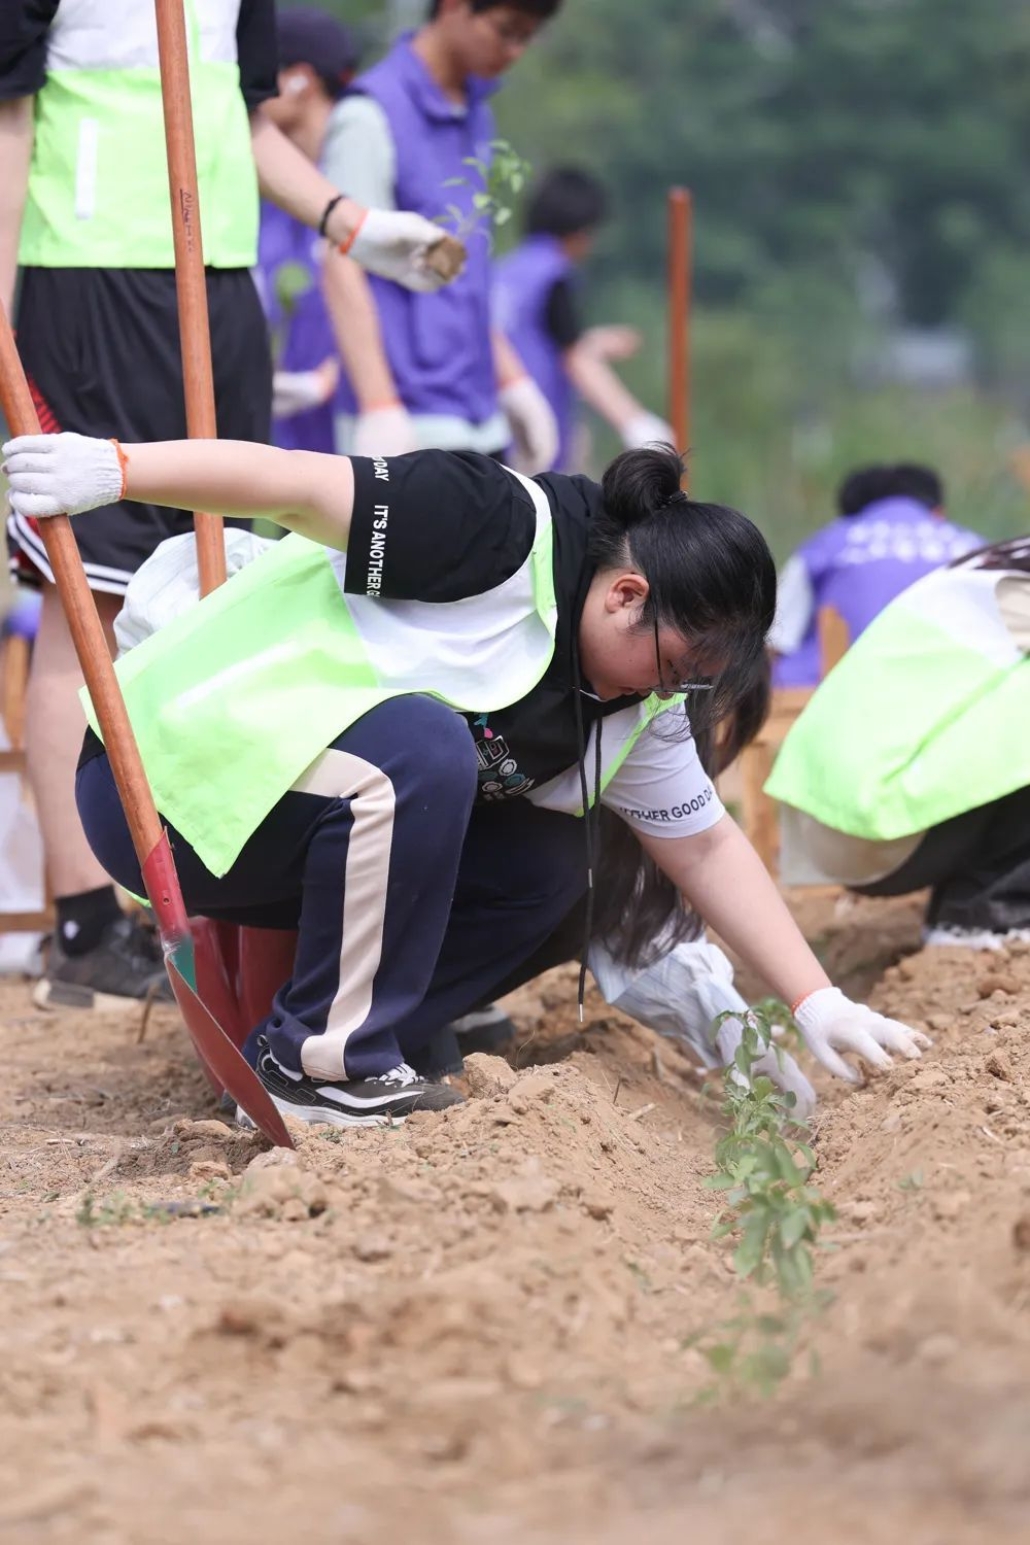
x: 926, y: 718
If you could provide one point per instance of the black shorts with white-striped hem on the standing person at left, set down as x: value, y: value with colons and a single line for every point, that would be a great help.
x: 101, y: 348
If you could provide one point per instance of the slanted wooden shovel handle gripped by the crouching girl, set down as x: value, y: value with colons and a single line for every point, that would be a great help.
x: 84, y: 622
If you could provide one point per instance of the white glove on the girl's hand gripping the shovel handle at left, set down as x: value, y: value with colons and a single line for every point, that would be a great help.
x: 61, y: 474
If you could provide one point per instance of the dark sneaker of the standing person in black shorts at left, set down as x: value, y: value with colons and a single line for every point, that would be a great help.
x: 121, y: 973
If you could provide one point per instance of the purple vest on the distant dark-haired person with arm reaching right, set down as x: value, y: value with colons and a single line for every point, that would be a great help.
x: 523, y: 288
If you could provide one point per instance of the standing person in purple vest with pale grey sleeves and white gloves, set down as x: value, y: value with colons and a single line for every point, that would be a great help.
x: 425, y: 372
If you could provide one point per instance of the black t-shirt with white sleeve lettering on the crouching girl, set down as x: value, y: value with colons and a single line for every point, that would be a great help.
x: 442, y: 526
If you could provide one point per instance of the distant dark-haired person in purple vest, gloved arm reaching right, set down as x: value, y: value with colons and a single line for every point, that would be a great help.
x: 537, y: 307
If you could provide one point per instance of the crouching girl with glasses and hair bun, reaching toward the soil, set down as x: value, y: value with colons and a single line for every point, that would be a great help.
x: 396, y: 732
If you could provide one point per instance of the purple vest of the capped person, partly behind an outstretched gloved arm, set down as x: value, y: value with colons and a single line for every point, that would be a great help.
x: 299, y: 321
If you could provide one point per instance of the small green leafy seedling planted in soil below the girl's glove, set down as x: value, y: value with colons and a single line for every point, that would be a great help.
x: 773, y: 1211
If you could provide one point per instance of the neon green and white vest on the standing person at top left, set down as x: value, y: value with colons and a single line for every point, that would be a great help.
x: 98, y: 192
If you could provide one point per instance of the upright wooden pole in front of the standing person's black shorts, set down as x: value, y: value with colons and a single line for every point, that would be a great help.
x: 195, y: 336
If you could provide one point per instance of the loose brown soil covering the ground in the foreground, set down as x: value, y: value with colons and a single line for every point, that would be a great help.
x: 478, y: 1328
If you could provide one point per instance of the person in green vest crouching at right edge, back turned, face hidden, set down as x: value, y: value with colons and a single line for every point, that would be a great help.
x: 910, y: 767
